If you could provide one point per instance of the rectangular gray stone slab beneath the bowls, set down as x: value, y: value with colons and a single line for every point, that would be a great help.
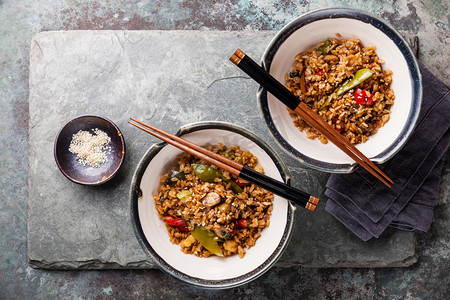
x: 169, y: 78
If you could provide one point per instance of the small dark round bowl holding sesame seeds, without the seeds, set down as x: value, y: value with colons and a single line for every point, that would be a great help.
x: 67, y: 161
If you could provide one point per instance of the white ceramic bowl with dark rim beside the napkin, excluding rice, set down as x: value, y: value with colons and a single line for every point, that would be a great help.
x: 307, y: 32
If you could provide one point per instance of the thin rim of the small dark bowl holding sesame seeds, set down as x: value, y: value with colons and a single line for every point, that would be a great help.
x: 104, y: 179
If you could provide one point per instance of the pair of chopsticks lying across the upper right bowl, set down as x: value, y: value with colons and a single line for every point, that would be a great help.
x: 278, y: 90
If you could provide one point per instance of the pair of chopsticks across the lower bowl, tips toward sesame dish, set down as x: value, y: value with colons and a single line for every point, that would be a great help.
x: 277, y: 187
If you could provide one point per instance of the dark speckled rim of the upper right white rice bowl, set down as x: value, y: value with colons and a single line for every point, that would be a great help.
x: 415, y: 78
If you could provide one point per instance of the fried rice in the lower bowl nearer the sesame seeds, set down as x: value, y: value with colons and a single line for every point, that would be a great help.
x: 234, y: 219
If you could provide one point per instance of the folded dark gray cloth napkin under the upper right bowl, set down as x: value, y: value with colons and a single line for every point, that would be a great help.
x: 366, y: 206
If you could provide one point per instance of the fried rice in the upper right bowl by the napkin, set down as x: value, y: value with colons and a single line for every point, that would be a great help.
x: 320, y: 71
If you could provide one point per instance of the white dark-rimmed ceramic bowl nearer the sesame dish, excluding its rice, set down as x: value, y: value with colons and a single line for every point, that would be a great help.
x: 212, y: 272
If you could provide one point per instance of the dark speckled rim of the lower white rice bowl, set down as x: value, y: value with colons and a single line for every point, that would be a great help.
x: 161, y: 263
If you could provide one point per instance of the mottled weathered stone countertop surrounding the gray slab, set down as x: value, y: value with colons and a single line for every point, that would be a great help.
x: 20, y: 21
